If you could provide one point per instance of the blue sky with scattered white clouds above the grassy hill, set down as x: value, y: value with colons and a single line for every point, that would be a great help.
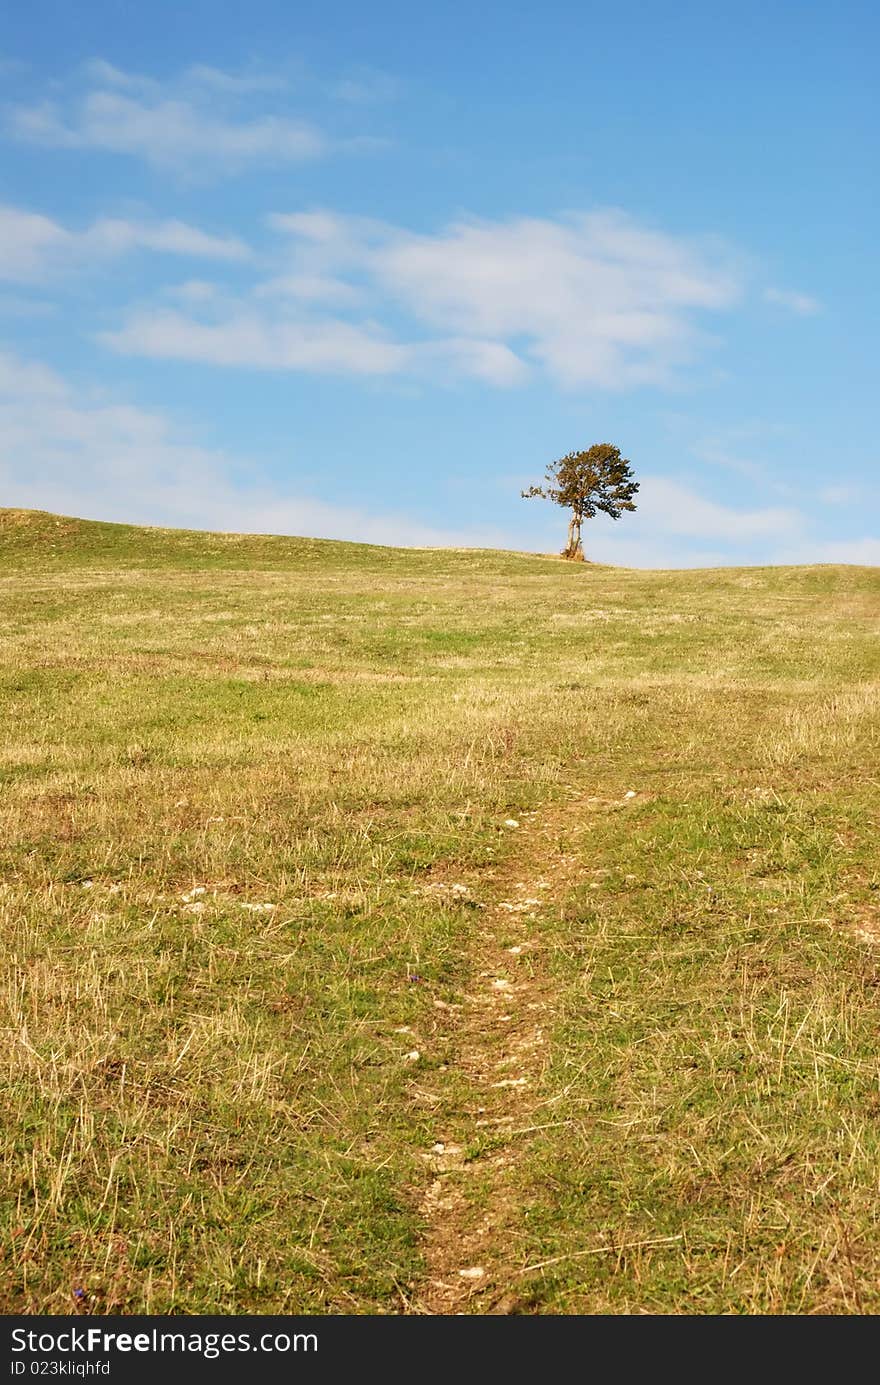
x: 364, y: 271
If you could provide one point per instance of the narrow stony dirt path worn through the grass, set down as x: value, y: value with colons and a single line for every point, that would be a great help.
x: 498, y: 1034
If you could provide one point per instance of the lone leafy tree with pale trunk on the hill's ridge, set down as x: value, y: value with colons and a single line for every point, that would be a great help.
x: 586, y: 483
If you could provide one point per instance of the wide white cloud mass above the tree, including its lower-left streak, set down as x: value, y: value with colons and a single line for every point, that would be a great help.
x: 591, y: 300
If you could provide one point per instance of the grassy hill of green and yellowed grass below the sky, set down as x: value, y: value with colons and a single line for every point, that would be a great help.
x: 428, y: 931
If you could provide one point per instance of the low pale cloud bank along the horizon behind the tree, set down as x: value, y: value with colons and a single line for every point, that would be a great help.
x: 74, y: 452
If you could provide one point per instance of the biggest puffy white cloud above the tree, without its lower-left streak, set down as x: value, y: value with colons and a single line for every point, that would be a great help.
x: 594, y: 298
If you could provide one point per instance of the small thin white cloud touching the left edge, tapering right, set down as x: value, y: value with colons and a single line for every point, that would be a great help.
x: 34, y: 247
